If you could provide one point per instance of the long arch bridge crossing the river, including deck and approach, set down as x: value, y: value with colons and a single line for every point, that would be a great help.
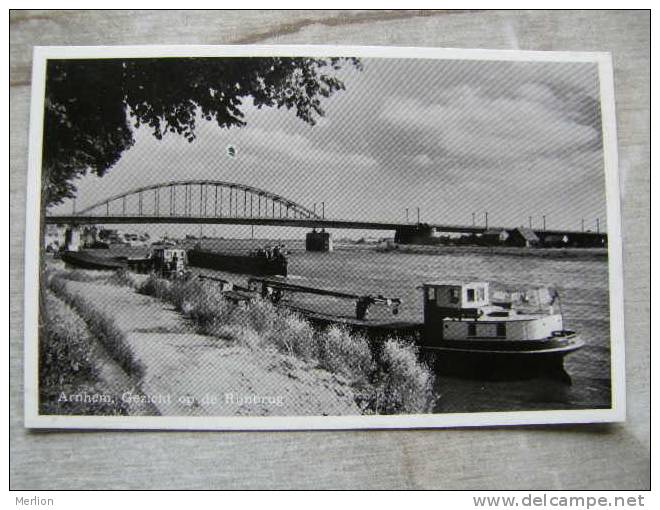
x: 222, y: 202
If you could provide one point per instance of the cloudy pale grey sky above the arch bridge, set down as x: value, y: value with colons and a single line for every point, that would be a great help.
x: 452, y: 137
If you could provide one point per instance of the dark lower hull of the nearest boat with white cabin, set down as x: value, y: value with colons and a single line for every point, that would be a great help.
x: 503, y: 360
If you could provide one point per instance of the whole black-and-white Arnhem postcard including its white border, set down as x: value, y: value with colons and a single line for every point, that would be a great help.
x: 322, y: 237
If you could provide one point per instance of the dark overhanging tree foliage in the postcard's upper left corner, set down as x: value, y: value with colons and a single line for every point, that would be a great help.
x: 92, y: 106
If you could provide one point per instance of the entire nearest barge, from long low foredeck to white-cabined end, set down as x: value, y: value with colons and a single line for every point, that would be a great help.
x: 517, y: 335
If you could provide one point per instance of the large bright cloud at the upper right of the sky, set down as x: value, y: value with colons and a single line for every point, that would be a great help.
x: 471, y: 127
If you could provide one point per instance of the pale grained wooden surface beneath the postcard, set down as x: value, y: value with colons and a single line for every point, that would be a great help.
x: 575, y: 457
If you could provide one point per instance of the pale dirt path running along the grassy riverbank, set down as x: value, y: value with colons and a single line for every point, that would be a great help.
x: 191, y: 374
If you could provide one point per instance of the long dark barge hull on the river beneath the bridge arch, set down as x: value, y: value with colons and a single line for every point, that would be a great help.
x: 244, y: 264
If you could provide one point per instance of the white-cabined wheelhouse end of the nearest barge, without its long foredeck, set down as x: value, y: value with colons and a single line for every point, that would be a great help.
x: 472, y: 336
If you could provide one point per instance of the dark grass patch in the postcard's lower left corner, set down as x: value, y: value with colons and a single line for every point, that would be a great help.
x: 67, y: 369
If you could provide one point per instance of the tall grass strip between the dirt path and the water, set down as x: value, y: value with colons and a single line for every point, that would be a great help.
x: 387, y: 378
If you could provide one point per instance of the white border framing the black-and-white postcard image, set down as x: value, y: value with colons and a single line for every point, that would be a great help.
x: 616, y: 413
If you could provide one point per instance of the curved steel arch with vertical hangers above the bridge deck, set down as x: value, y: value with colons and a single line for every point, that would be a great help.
x: 243, y: 201
